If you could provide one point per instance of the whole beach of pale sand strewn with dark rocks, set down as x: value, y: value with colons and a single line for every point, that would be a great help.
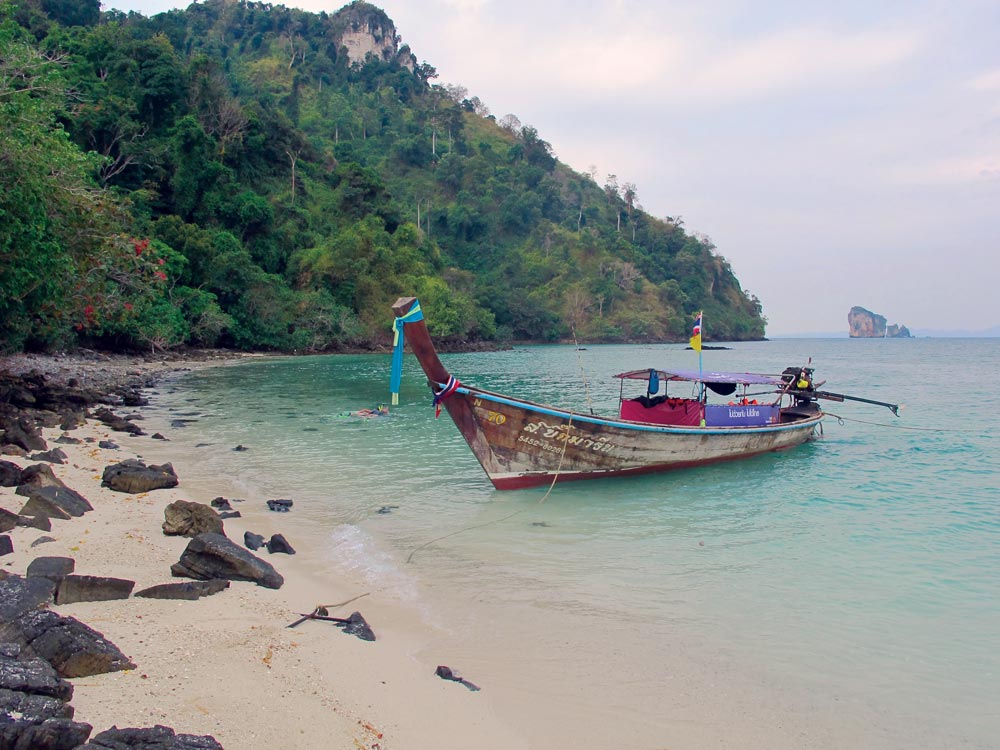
x: 92, y: 543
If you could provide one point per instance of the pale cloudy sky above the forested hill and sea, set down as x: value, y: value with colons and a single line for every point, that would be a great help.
x: 837, y: 153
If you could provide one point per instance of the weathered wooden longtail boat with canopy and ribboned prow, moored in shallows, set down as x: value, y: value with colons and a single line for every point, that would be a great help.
x: 523, y: 444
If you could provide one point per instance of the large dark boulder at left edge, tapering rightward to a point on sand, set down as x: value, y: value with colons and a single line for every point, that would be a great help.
x: 72, y: 648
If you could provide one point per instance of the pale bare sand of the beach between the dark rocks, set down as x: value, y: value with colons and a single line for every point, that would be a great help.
x: 227, y: 665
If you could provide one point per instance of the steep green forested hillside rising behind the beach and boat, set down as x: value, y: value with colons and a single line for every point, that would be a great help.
x: 227, y: 176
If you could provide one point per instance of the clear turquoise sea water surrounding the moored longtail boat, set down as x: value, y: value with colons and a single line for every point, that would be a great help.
x: 843, y: 594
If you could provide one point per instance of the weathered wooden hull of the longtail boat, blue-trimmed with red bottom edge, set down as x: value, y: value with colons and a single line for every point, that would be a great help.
x: 520, y: 444
